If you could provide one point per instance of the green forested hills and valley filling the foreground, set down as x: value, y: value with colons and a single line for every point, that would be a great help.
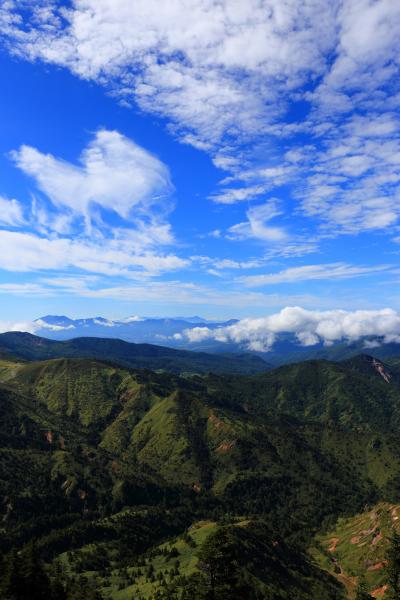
x: 126, y: 483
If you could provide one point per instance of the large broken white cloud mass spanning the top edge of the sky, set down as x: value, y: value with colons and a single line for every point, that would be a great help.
x: 214, y: 68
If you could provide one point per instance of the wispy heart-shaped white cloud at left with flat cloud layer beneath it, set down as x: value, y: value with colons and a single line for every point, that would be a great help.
x: 67, y: 226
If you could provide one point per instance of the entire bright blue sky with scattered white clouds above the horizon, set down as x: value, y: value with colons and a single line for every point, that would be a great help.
x: 221, y: 158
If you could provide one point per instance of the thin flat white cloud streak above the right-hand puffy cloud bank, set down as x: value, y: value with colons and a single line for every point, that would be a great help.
x: 311, y: 273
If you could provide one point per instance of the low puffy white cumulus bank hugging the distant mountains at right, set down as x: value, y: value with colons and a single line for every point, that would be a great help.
x: 309, y: 327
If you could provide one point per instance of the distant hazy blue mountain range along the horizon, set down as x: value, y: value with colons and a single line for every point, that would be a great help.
x: 169, y: 332
